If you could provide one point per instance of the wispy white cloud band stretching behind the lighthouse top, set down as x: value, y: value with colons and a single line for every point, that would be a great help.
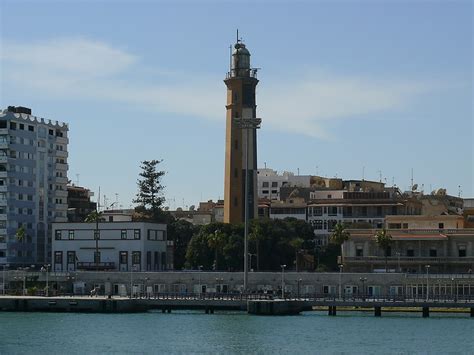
x: 85, y: 69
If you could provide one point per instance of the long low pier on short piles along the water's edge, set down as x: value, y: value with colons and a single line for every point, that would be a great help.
x: 253, y: 304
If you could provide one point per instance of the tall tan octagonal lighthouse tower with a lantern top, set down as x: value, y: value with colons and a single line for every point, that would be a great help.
x: 241, y: 138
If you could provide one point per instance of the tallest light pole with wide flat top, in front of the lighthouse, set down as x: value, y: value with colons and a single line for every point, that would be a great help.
x: 247, y: 124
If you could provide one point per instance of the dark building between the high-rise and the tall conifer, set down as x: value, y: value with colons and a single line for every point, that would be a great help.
x: 79, y: 203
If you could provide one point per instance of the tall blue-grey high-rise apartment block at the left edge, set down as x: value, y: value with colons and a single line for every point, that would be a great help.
x: 33, y: 180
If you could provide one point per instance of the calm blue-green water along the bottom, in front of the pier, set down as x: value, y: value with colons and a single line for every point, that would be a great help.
x: 228, y: 332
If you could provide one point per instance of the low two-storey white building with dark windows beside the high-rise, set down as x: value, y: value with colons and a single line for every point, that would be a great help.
x: 119, y: 246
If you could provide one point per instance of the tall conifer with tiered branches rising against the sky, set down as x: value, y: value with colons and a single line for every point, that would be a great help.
x: 150, y: 190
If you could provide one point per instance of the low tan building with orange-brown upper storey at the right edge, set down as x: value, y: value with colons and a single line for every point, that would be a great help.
x: 439, y: 243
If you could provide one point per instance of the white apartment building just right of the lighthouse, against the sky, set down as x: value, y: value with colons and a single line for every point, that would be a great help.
x: 269, y: 182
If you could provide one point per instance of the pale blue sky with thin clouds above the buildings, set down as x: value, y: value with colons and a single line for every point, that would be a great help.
x: 350, y: 89
